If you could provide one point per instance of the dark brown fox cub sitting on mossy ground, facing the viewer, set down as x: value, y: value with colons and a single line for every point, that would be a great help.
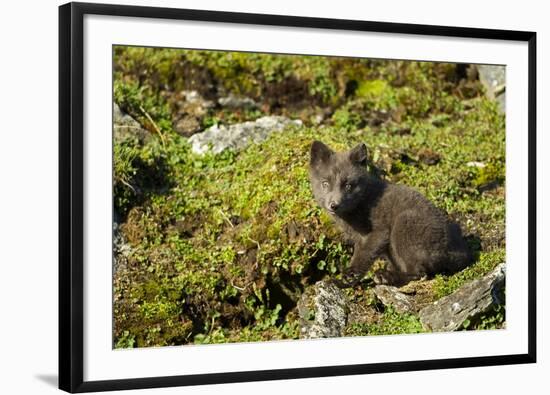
x: 384, y: 220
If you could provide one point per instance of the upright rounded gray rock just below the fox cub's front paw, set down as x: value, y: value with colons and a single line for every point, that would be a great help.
x: 323, y: 311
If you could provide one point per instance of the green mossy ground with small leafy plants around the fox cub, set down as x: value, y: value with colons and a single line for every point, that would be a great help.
x: 222, y: 246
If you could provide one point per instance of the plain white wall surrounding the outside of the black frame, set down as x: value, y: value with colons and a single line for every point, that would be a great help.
x: 28, y: 197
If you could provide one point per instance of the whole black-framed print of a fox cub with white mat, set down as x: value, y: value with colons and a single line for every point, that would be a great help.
x: 239, y: 188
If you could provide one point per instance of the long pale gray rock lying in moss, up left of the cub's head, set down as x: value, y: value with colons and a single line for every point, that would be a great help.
x: 240, y: 135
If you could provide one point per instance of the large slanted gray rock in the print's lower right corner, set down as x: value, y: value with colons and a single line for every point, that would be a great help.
x: 468, y: 302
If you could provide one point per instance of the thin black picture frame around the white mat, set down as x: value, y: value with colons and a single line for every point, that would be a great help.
x: 71, y: 175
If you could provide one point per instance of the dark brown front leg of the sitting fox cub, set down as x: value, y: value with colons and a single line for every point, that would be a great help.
x: 365, y: 252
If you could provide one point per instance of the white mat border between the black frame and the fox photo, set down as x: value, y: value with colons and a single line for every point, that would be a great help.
x: 102, y: 363
